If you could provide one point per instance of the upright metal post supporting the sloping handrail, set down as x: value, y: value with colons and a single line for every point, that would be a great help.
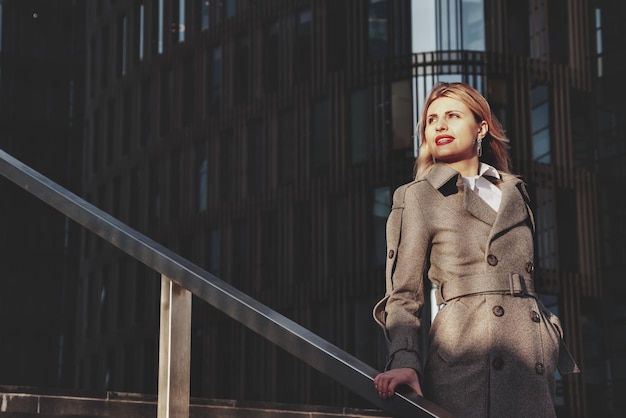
x: 174, y: 350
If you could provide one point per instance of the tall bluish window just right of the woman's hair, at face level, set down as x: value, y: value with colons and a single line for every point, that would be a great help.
x: 540, y: 119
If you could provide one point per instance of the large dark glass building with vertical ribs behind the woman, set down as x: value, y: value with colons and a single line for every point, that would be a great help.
x: 262, y: 140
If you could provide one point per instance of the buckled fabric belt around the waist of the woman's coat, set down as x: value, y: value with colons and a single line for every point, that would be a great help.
x: 515, y: 284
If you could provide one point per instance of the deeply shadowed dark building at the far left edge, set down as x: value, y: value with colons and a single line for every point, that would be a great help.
x: 41, y: 95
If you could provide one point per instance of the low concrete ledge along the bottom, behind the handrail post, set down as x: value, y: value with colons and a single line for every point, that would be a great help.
x: 25, y: 402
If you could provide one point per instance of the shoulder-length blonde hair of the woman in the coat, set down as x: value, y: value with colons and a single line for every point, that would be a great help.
x: 495, y: 144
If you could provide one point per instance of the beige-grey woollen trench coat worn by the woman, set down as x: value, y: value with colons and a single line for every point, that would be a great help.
x: 494, y: 347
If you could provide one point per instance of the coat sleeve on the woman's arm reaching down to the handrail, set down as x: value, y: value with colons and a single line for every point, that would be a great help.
x: 398, y: 313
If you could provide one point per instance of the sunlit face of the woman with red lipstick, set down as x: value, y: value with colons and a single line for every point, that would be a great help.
x: 451, y: 131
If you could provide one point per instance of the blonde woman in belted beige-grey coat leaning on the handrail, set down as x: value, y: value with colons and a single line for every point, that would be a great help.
x: 465, y: 224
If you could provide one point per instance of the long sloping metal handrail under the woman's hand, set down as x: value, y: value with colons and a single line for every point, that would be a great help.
x: 280, y: 330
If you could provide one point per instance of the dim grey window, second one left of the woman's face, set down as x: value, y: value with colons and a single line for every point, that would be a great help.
x: 359, y: 127
